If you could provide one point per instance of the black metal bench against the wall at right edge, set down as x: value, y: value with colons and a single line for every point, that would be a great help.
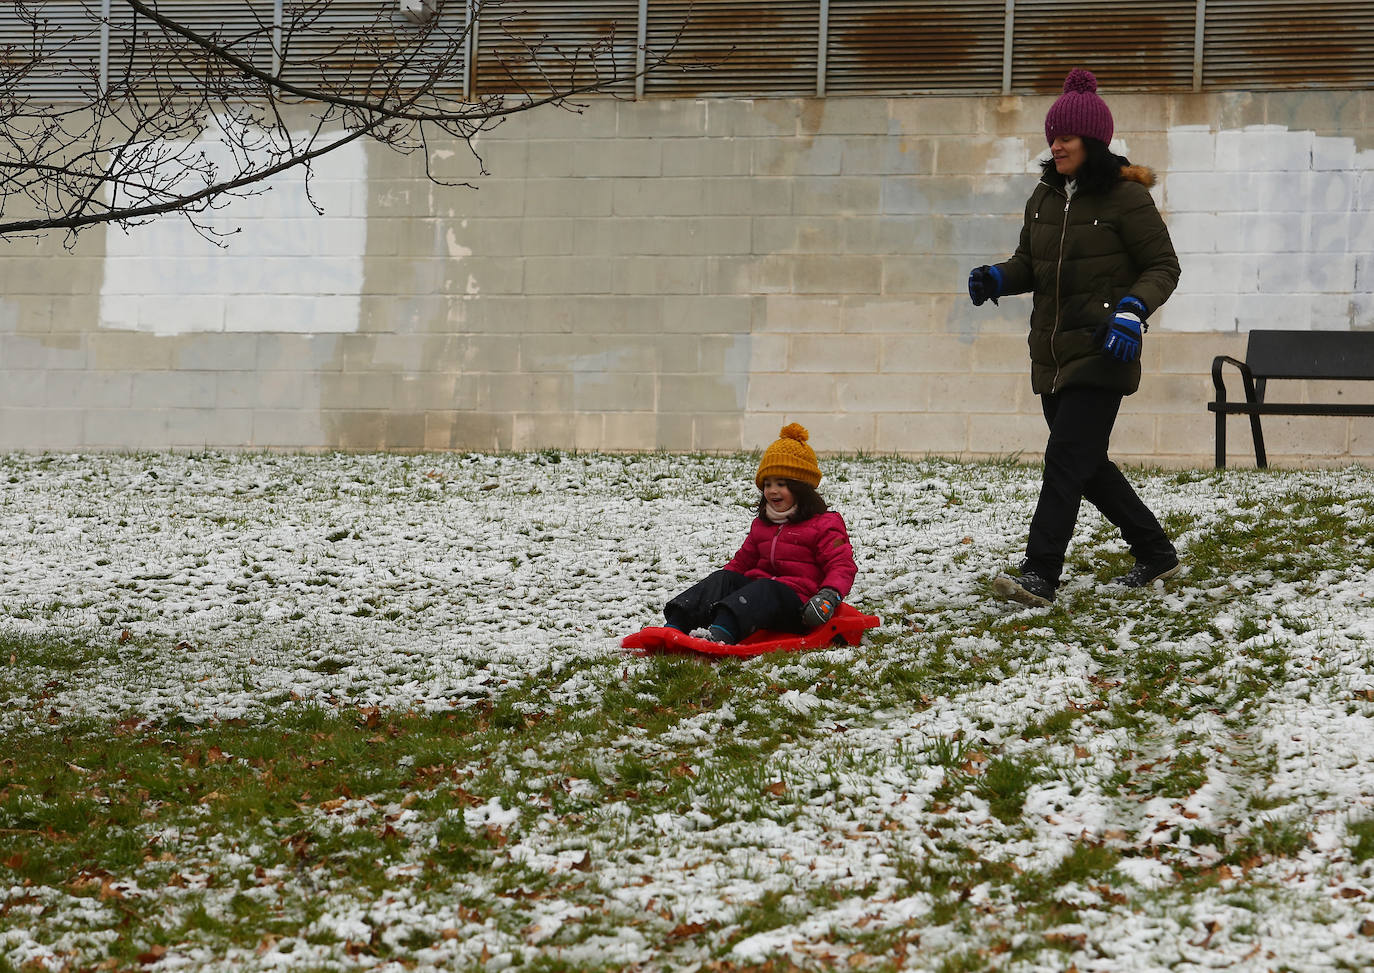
x: 1295, y: 355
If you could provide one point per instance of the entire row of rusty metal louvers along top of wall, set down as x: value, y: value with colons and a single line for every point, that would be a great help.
x: 721, y: 47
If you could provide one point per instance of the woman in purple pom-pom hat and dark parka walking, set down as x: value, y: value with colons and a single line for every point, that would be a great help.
x: 1099, y: 260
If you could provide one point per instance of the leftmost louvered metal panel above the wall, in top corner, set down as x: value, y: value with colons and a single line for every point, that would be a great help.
x: 58, y: 56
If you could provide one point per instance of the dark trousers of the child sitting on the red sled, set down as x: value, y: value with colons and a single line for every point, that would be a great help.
x: 740, y: 605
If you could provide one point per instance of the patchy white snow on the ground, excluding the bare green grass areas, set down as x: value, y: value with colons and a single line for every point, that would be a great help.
x: 219, y: 586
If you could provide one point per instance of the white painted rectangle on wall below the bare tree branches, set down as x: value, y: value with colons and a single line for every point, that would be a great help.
x: 291, y: 269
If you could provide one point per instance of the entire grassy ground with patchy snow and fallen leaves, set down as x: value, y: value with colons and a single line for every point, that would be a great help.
x: 359, y: 711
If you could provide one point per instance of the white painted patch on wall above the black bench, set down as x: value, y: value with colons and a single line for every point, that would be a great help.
x: 1274, y: 230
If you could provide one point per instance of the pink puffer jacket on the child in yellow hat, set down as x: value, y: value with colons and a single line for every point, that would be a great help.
x: 806, y: 557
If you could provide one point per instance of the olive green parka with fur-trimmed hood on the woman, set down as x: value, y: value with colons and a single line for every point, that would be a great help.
x: 1079, y: 258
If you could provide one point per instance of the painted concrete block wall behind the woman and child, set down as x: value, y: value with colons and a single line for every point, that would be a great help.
x: 692, y: 276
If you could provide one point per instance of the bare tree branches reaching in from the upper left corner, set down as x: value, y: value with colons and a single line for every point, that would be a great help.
x: 134, y: 142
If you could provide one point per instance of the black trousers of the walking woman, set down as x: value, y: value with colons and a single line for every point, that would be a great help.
x: 1077, y: 468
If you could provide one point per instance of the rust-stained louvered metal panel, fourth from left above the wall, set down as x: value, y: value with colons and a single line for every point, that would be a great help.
x: 545, y: 45
